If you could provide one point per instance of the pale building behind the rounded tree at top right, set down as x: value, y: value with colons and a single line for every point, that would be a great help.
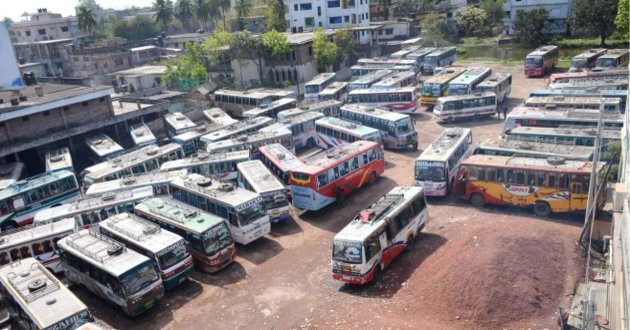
x: 559, y: 12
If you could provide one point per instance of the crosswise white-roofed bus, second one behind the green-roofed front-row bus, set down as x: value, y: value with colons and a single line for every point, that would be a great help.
x: 157, y: 180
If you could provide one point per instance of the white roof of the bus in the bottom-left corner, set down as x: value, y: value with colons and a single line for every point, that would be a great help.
x: 53, y: 301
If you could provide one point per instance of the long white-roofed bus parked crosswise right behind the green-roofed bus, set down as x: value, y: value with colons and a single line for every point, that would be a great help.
x: 89, y: 211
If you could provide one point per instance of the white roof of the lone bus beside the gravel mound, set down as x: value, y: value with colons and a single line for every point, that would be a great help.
x: 377, y: 214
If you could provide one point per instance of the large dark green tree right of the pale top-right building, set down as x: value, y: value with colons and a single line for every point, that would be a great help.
x: 596, y: 18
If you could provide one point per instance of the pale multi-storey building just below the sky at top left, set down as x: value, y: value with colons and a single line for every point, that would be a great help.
x: 42, y: 26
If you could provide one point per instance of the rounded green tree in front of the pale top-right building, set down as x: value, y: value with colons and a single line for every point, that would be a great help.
x: 529, y: 26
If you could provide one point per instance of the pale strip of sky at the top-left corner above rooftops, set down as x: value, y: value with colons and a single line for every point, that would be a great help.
x: 15, y: 9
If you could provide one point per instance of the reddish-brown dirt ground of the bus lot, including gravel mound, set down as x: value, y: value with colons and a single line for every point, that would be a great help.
x: 489, y: 268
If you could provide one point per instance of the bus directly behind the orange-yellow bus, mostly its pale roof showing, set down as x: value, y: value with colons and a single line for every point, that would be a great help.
x: 519, y: 148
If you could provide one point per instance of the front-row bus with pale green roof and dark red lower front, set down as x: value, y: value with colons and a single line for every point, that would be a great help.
x: 207, y: 236
